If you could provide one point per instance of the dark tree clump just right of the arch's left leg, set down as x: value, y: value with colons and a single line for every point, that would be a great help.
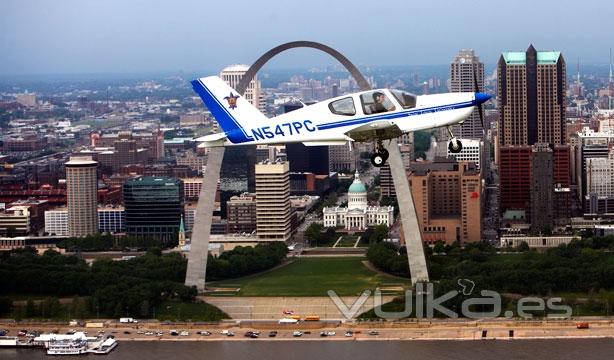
x: 243, y: 261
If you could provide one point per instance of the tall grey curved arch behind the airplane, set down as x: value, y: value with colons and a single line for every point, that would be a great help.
x: 197, y: 257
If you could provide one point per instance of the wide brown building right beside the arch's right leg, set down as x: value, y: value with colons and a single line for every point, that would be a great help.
x: 447, y: 199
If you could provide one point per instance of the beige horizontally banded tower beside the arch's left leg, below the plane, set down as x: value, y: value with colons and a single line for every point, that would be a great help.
x: 273, y: 213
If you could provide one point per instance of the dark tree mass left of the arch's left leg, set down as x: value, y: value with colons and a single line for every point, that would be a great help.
x: 108, y: 288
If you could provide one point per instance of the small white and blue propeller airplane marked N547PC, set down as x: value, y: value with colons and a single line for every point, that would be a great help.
x: 373, y: 115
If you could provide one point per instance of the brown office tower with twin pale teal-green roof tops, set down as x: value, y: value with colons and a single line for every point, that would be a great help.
x: 531, y: 97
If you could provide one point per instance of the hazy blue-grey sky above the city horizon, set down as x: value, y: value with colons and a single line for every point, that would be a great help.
x: 87, y: 36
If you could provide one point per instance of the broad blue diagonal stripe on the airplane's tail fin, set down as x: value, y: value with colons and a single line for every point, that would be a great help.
x: 233, y: 130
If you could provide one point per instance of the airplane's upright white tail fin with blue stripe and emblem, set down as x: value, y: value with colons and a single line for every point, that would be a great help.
x: 231, y: 110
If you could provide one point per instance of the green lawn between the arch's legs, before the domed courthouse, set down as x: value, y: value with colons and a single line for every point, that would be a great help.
x: 347, y: 276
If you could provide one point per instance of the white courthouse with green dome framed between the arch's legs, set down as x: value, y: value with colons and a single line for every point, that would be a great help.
x: 358, y: 215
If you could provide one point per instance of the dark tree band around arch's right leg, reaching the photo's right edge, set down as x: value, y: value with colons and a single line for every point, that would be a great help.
x: 582, y: 266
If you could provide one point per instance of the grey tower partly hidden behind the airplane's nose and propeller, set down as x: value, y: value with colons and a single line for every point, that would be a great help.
x: 461, y: 80
